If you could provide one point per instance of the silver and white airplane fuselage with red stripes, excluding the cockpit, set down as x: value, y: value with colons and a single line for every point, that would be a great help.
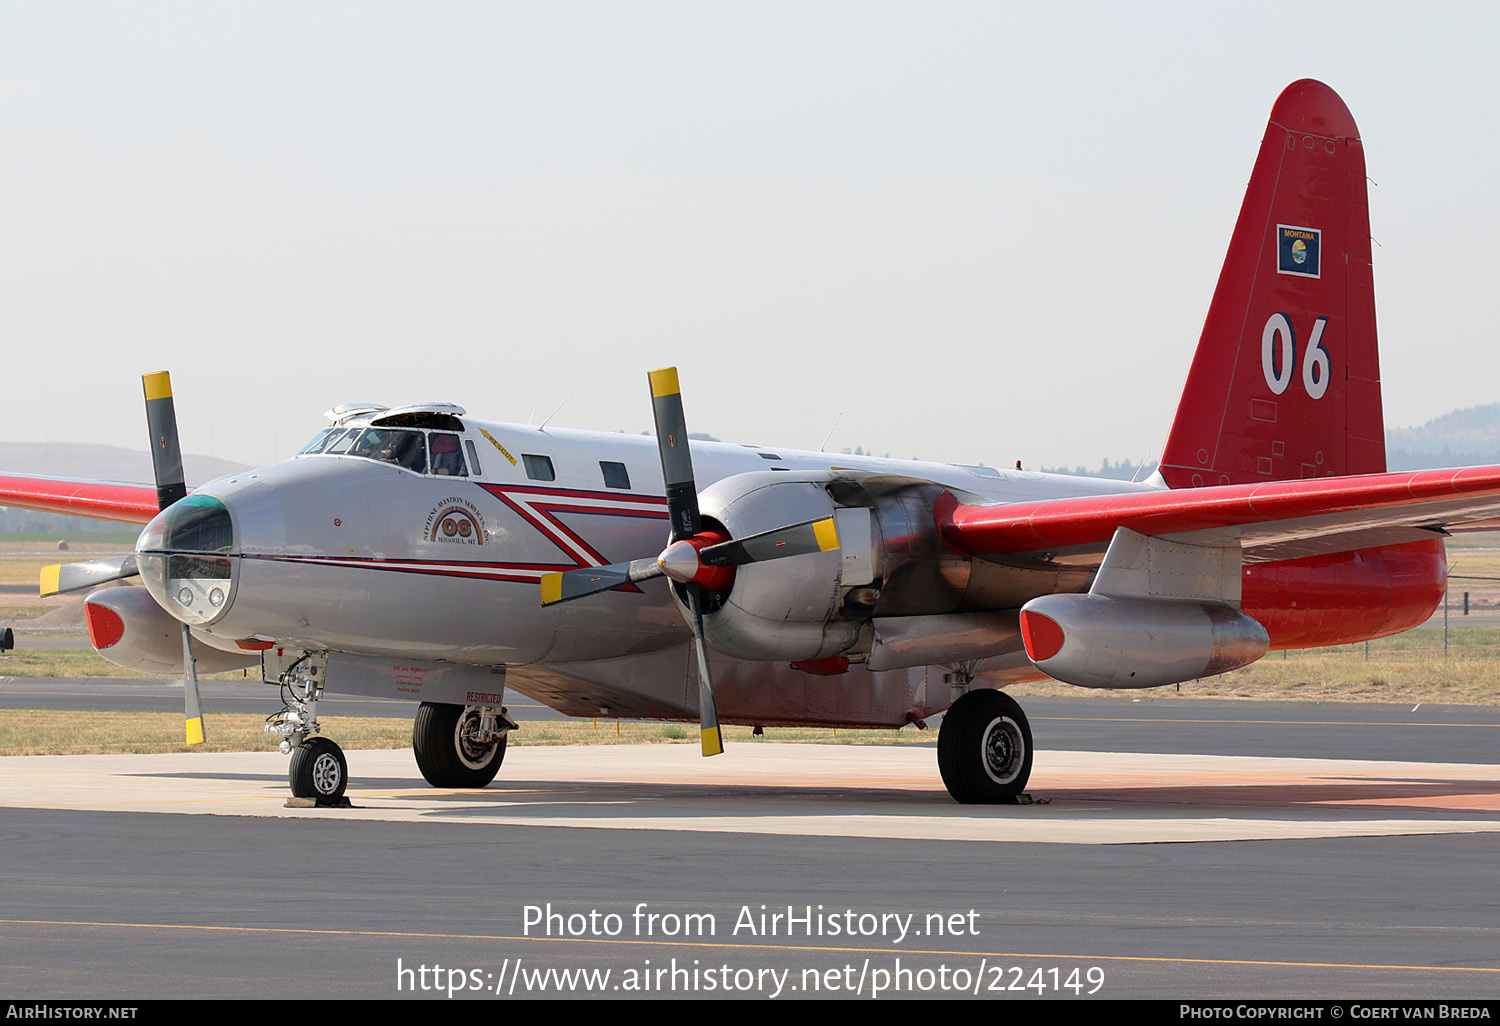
x: 356, y: 556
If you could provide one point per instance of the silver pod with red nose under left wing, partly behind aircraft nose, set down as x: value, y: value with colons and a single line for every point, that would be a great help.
x: 131, y: 631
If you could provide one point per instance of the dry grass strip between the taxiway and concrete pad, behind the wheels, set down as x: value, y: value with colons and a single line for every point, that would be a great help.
x: 26, y: 733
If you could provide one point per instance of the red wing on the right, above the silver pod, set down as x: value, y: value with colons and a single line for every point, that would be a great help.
x: 1273, y: 521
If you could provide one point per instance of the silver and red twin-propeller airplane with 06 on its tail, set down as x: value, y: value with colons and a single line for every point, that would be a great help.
x: 422, y: 554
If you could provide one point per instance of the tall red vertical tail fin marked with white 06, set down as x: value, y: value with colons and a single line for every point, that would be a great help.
x: 1286, y: 380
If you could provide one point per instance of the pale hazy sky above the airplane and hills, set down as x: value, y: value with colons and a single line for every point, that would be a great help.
x: 982, y: 232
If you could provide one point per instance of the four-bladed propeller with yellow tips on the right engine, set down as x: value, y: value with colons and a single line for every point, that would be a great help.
x: 695, y: 559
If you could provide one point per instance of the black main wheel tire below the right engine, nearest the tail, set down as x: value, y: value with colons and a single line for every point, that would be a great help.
x: 985, y: 749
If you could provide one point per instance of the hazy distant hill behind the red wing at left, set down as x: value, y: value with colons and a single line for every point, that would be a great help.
x: 94, y: 463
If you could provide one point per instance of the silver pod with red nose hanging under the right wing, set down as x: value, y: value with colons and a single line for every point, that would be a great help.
x: 1102, y: 641
